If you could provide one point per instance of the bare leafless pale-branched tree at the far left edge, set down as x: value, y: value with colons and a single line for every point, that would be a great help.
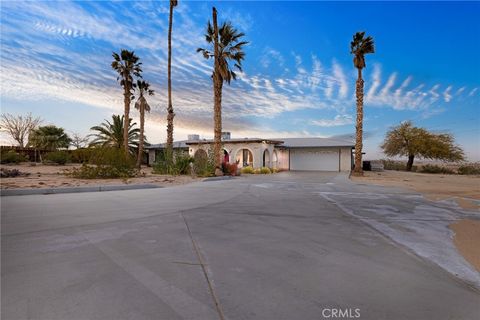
x: 18, y: 127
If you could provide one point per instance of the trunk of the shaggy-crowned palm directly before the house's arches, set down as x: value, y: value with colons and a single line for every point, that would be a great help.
x: 217, y: 91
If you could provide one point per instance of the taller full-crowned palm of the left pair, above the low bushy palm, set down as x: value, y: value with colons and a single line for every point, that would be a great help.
x: 127, y: 65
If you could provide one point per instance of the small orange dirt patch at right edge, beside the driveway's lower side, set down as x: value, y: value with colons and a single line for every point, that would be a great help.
x: 467, y: 240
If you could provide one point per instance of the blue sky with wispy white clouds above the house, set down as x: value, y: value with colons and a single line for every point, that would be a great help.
x: 298, y: 78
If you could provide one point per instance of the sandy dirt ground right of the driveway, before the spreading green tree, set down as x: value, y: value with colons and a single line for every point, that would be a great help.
x: 463, y: 189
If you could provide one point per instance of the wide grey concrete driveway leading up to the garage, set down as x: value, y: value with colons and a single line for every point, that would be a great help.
x: 284, y: 246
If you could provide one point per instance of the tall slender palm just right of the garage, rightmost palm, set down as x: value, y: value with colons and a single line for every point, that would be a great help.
x: 359, y: 47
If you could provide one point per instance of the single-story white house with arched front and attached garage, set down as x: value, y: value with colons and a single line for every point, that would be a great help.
x: 295, y: 154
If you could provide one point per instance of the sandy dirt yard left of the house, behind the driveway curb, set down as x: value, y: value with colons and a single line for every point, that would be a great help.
x: 51, y: 176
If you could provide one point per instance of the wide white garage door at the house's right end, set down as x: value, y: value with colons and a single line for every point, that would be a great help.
x: 314, y: 160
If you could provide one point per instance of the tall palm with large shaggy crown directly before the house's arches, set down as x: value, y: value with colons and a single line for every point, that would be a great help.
x: 226, y: 46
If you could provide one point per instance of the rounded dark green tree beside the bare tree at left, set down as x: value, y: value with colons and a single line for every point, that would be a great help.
x: 49, y: 138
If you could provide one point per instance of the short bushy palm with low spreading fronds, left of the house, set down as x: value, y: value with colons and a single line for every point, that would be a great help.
x: 110, y: 134
